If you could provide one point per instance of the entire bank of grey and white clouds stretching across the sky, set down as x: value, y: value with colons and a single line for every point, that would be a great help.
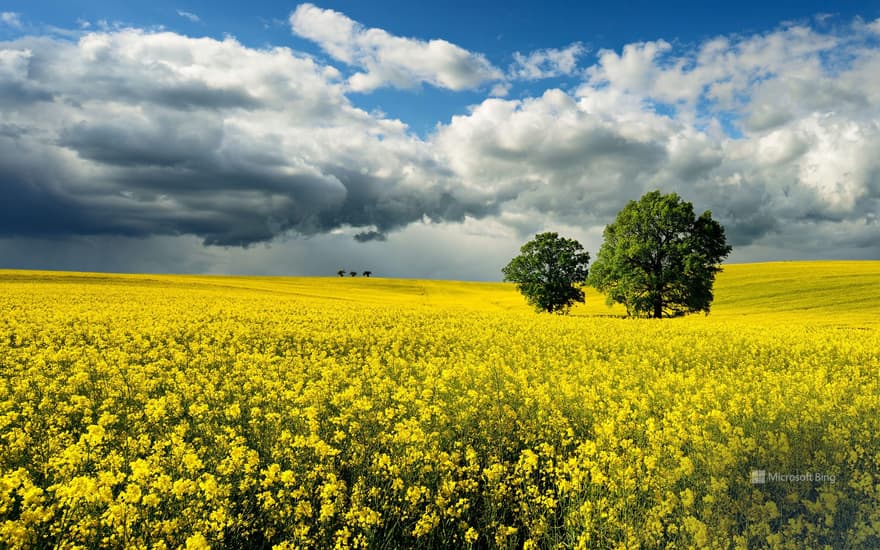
x: 140, y: 134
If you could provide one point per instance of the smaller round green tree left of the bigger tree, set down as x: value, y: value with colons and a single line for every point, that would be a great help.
x: 549, y: 272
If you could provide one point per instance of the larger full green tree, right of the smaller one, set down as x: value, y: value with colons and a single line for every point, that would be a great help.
x: 659, y: 259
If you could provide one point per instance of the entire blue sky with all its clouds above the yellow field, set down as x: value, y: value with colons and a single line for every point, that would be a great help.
x: 426, y: 140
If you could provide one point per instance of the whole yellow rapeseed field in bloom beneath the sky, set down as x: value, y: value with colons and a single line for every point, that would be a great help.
x: 148, y: 411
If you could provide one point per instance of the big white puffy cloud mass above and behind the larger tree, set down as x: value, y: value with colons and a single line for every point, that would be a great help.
x: 776, y: 133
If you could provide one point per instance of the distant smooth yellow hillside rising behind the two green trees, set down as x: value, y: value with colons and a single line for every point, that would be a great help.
x: 826, y: 292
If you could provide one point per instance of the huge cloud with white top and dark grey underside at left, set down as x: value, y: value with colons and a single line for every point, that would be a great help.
x: 158, y: 134
